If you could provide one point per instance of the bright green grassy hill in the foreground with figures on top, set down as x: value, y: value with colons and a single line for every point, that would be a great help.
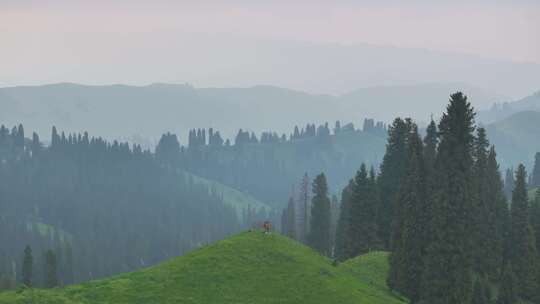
x: 247, y: 268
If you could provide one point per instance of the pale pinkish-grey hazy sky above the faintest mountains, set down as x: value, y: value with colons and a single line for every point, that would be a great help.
x: 50, y: 41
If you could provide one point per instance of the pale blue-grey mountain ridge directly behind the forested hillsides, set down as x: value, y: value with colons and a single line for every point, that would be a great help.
x: 145, y: 112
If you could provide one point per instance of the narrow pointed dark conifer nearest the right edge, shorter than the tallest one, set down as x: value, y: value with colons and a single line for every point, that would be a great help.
x: 523, y: 254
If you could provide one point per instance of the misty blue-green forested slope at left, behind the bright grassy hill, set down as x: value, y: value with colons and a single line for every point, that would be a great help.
x: 89, y: 208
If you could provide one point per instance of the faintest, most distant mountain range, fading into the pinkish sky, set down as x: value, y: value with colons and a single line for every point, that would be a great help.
x: 209, y: 60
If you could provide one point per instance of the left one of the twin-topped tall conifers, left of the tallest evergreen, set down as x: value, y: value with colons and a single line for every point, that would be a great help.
x: 392, y: 171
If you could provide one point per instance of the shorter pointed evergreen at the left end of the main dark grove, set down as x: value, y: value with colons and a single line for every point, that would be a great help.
x: 362, y: 231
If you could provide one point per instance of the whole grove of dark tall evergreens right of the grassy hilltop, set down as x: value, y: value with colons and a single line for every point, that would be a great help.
x: 440, y: 206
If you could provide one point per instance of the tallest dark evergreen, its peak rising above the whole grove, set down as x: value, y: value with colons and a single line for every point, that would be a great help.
x: 447, y: 275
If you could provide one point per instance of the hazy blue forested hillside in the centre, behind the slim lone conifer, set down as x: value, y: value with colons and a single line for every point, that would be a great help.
x: 271, y: 166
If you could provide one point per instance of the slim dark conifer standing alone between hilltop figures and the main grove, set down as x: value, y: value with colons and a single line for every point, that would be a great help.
x: 319, y: 235
